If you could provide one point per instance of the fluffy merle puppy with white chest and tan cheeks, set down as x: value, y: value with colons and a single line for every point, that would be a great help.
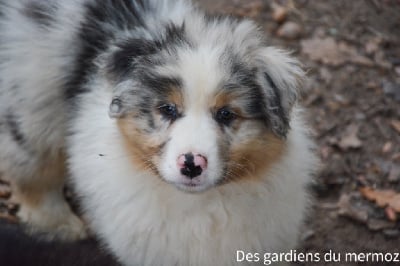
x: 180, y: 131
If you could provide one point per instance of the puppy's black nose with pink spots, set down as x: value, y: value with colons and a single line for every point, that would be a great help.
x: 192, y: 165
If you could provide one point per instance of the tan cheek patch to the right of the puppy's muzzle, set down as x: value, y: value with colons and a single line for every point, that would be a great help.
x: 251, y: 159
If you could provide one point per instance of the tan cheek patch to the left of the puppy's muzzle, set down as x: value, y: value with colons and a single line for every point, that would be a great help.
x: 142, y: 148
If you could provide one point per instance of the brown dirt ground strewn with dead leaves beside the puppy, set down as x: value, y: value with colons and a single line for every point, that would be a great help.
x: 351, y: 50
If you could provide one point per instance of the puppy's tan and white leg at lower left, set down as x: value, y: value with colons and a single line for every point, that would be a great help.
x: 42, y: 205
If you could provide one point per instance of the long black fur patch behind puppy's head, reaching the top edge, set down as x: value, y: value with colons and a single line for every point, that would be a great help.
x: 103, y: 19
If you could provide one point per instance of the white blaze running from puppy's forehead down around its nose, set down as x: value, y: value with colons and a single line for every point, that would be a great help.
x: 196, y: 132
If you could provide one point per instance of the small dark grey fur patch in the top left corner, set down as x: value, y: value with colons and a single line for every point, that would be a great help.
x: 40, y: 12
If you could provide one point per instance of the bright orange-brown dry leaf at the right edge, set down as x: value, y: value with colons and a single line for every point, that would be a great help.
x: 383, y: 198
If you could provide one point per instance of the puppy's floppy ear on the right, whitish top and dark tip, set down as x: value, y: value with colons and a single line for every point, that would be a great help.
x: 280, y: 76
